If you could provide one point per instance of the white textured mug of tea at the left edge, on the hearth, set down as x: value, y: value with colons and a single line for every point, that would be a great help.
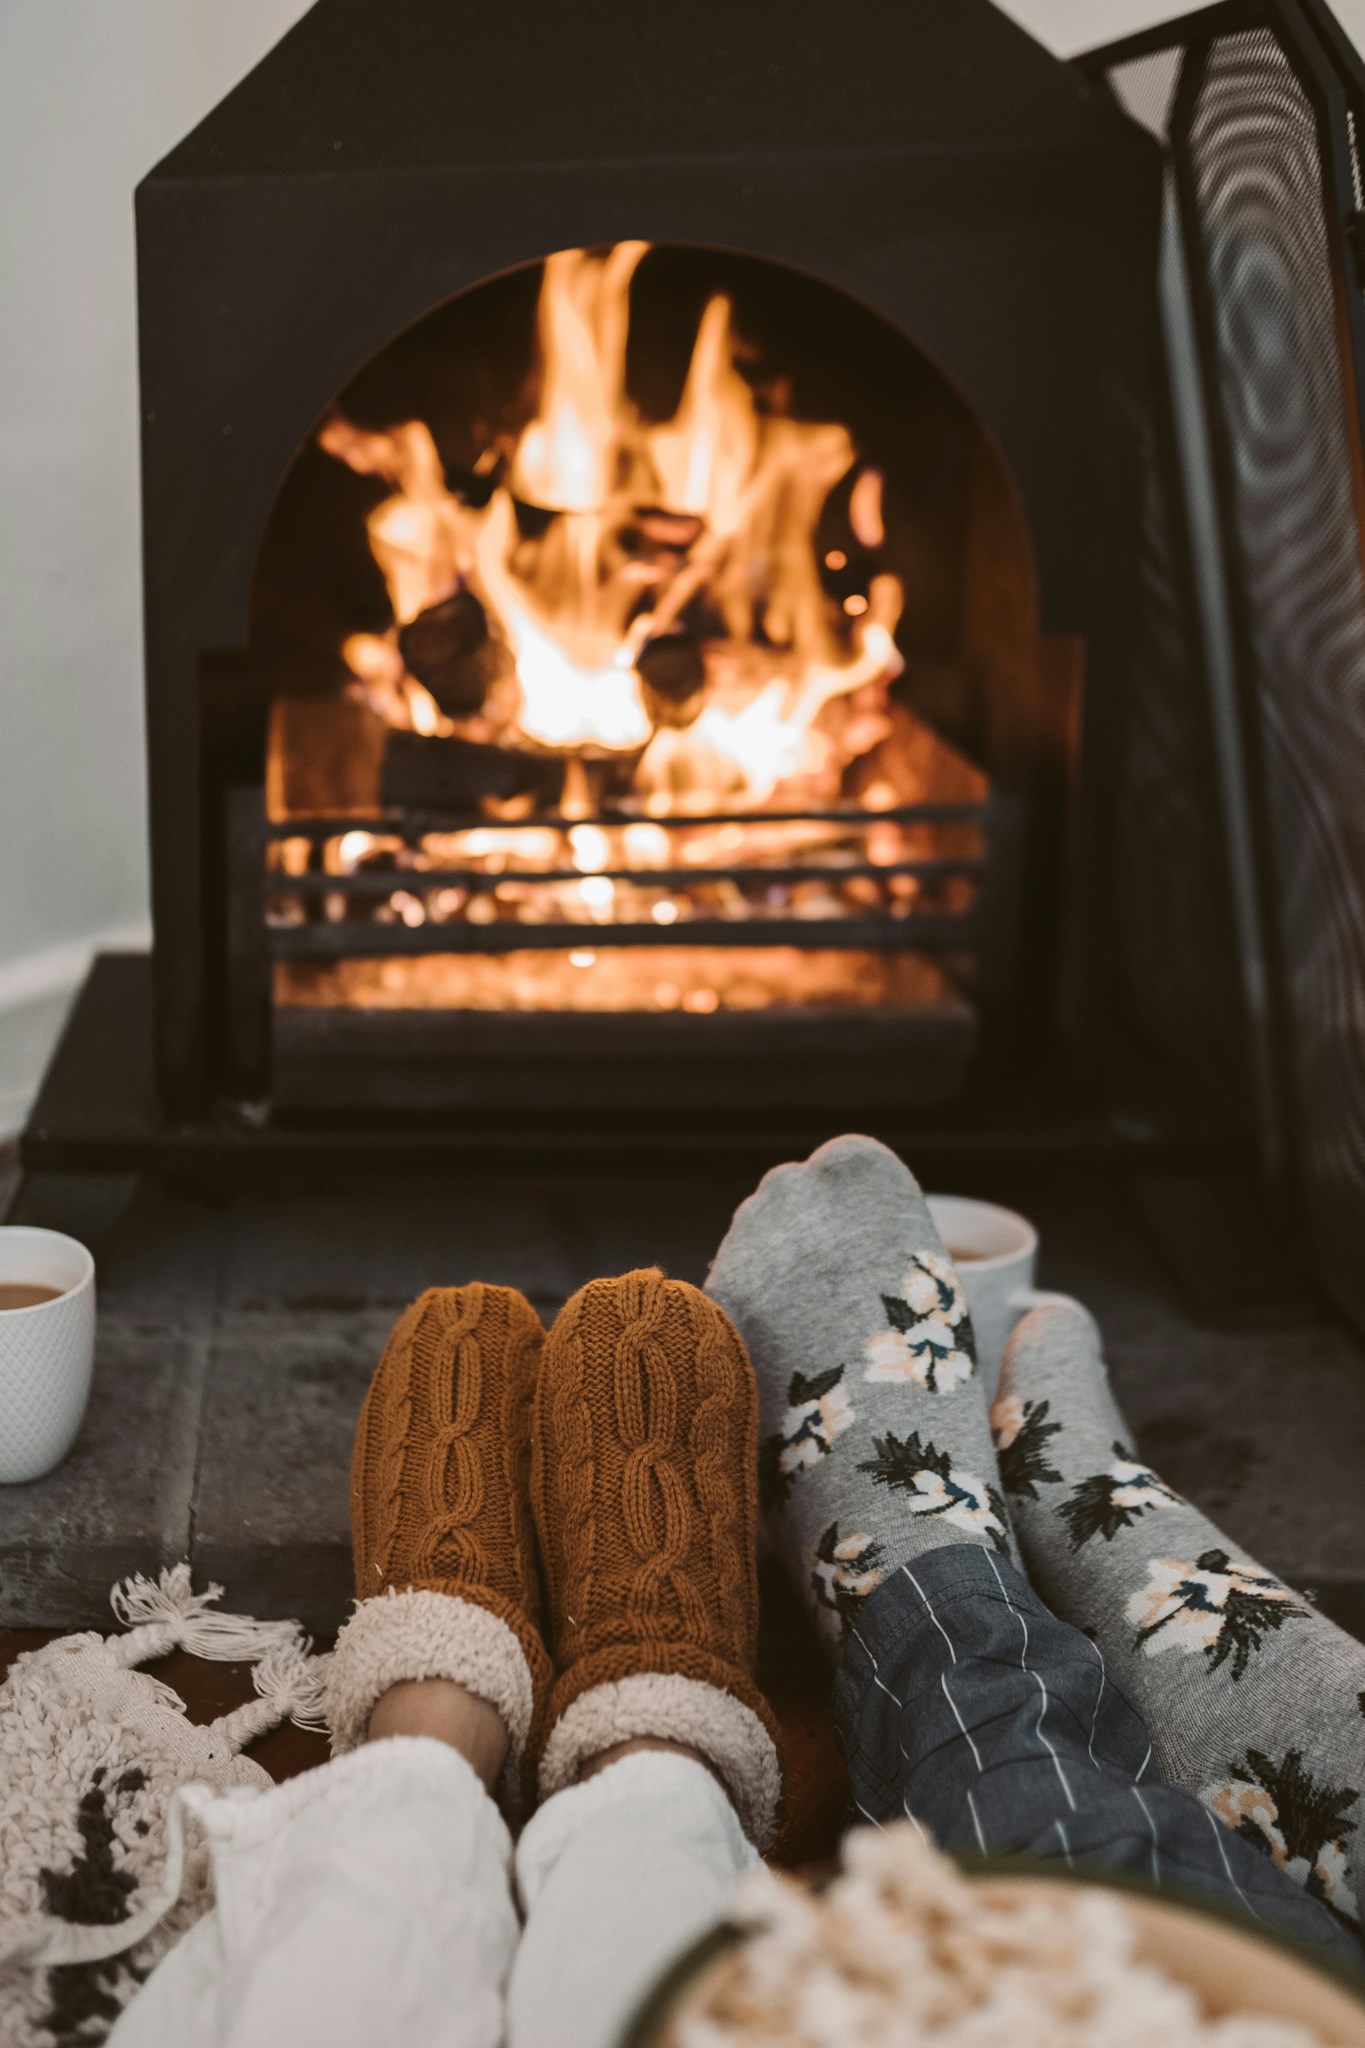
x: 46, y: 1349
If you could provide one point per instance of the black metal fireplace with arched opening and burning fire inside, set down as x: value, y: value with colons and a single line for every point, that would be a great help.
x: 635, y: 577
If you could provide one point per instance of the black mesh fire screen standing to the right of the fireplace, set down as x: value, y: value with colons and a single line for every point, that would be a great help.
x: 1258, y: 110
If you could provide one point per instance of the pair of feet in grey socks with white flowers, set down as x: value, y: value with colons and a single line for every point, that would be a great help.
x: 879, y: 1445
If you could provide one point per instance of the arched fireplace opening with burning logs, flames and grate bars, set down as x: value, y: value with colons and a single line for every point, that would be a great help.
x: 615, y: 640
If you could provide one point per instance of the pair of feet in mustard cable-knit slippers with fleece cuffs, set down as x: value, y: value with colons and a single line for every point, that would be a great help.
x: 562, y: 1527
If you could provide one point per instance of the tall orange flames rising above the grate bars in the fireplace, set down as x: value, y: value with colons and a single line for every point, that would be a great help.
x: 732, y: 597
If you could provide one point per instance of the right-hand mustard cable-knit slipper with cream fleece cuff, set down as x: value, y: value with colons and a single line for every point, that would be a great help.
x: 644, y: 1490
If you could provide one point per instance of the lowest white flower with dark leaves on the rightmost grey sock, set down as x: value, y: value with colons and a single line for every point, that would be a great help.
x: 1294, y: 1820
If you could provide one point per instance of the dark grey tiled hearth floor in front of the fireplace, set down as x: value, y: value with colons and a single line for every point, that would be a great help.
x: 238, y: 1336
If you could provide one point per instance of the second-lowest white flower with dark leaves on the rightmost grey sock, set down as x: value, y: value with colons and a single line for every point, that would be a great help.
x: 1217, y: 1607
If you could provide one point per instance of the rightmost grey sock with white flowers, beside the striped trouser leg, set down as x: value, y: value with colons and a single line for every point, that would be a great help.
x: 1251, y: 1699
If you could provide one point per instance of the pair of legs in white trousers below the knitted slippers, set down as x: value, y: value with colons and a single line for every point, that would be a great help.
x: 373, y: 1902
